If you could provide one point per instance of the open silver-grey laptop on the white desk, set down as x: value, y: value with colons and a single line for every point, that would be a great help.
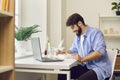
x: 37, y: 53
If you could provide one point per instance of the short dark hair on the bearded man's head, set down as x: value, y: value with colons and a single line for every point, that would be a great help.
x: 74, y: 19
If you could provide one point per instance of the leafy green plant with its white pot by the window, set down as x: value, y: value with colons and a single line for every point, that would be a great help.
x: 23, y: 34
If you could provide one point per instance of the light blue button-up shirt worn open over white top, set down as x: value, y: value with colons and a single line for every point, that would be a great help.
x: 94, y: 41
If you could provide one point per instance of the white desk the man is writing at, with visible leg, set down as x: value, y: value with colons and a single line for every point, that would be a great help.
x: 29, y: 64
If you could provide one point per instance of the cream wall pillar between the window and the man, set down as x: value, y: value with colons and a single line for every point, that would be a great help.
x: 56, y: 21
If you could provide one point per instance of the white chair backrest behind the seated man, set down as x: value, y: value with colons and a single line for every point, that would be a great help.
x: 112, y: 54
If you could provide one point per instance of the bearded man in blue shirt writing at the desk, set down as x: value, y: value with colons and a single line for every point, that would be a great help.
x: 89, y: 49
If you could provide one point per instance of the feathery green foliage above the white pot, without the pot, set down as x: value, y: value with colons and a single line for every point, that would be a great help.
x: 24, y: 33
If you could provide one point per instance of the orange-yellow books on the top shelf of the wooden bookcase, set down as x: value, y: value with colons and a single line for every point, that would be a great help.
x: 4, y: 5
